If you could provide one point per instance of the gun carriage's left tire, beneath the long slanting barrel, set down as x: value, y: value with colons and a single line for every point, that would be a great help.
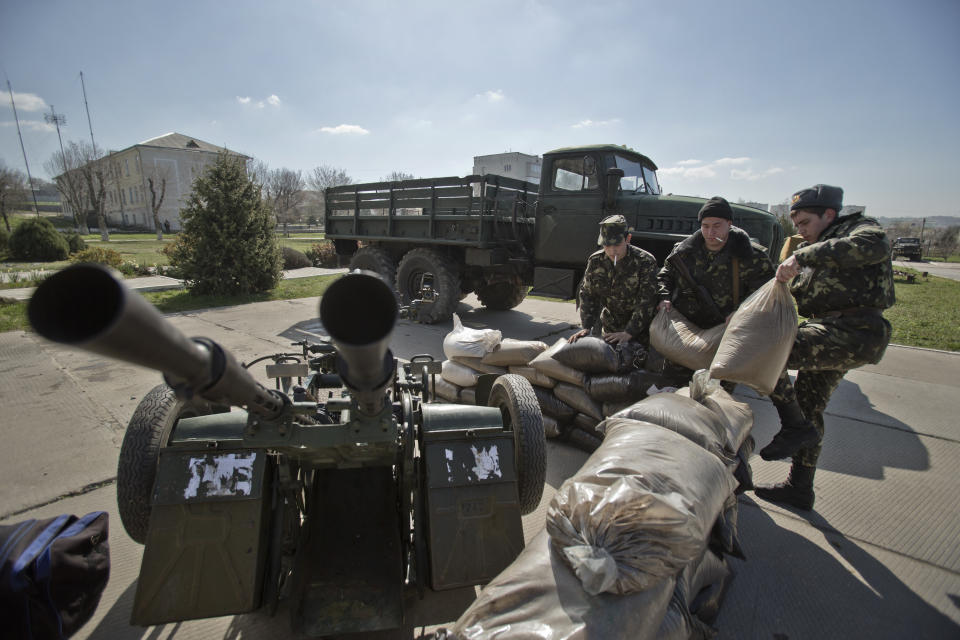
x: 148, y: 432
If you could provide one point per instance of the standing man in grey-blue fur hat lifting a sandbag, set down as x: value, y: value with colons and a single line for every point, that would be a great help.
x: 842, y: 279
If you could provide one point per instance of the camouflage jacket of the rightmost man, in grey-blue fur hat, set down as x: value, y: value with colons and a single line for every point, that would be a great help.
x: 849, y: 266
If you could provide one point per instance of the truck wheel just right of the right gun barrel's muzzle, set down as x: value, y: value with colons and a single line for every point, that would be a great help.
x: 446, y: 282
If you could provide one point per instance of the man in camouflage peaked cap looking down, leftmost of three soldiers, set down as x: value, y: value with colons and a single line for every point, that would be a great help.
x: 618, y: 291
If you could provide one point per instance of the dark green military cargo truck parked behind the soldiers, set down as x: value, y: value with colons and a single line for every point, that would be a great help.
x: 497, y: 236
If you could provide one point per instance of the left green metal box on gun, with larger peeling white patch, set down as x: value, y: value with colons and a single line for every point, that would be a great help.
x: 206, y: 544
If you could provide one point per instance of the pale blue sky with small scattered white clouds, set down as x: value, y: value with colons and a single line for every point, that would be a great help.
x: 749, y: 100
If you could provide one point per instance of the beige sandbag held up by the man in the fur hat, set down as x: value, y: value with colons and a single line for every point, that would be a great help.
x: 758, y: 339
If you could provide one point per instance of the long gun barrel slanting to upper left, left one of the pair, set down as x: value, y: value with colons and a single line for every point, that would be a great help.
x: 85, y: 306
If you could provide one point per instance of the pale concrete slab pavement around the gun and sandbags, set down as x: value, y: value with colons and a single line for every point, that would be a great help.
x: 877, y: 559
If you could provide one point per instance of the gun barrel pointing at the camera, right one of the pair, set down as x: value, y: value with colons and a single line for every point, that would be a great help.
x: 361, y: 333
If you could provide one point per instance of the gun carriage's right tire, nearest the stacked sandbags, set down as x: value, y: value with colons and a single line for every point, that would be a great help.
x: 518, y: 405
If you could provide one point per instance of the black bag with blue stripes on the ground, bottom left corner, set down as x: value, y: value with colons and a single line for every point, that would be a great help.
x: 52, y: 574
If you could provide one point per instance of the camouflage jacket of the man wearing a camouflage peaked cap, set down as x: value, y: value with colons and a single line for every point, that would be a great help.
x: 621, y: 297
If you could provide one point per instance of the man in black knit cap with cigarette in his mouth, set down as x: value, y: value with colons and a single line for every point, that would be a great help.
x: 711, y: 256
